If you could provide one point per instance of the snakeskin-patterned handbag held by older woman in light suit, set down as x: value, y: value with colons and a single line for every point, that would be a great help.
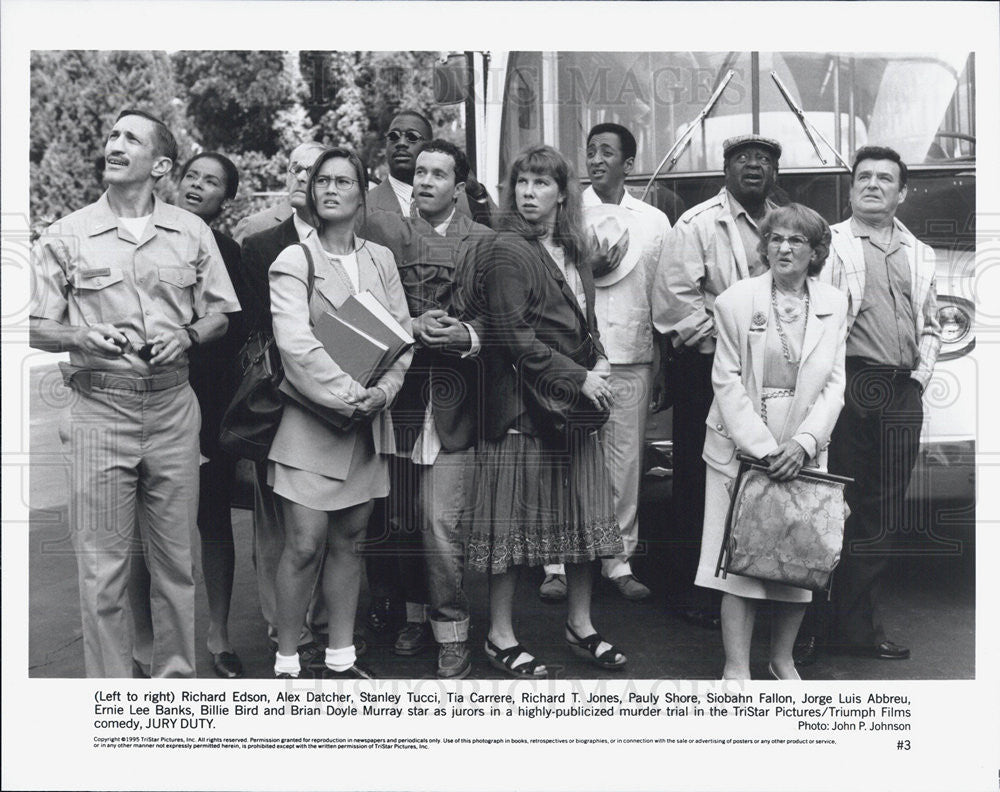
x: 788, y: 532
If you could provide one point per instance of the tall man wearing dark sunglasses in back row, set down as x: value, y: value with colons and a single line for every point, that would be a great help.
x: 407, y: 132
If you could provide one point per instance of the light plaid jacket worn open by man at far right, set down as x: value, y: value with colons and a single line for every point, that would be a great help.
x: 845, y: 269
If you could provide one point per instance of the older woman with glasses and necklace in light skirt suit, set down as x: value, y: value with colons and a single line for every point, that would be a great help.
x: 778, y: 377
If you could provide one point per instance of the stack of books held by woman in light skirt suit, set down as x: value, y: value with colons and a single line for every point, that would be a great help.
x: 361, y: 337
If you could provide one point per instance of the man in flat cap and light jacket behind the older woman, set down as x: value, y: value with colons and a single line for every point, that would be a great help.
x: 713, y: 245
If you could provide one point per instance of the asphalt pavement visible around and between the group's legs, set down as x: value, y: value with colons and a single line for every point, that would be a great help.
x: 929, y: 603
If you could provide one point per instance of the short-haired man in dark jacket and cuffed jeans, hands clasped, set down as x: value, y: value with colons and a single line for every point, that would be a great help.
x: 435, y: 415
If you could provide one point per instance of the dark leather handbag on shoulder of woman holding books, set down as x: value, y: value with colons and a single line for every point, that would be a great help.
x: 251, y: 420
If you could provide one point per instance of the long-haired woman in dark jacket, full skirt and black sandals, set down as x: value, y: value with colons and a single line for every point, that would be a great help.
x: 543, y: 494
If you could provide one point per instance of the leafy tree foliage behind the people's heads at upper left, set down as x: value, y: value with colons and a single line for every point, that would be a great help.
x: 252, y: 106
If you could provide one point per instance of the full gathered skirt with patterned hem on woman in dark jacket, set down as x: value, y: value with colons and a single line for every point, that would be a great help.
x: 534, y: 505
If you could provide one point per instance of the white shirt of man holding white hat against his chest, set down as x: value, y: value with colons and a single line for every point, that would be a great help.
x: 624, y: 312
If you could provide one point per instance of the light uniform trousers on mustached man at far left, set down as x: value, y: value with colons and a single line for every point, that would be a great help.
x: 134, y: 454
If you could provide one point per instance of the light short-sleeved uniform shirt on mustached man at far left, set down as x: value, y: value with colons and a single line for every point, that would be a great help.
x: 89, y: 269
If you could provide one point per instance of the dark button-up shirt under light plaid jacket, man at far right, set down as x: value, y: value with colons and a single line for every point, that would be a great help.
x: 883, y: 331
